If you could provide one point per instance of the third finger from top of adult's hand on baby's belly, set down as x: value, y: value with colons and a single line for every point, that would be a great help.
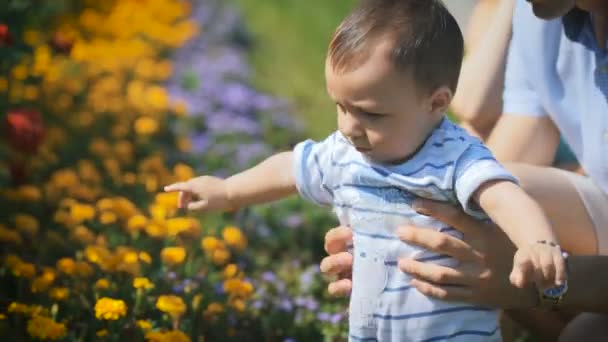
x: 436, y: 274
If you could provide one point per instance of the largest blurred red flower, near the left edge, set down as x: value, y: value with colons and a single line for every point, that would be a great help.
x: 25, y: 129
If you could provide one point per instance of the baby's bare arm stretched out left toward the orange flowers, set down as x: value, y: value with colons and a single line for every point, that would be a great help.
x: 270, y: 180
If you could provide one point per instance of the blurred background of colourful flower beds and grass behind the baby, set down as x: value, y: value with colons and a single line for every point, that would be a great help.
x: 104, y: 102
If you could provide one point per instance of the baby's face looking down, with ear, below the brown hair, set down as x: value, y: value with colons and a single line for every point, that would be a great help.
x: 380, y: 110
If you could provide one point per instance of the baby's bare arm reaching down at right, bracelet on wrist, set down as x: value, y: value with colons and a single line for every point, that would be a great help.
x: 539, y: 257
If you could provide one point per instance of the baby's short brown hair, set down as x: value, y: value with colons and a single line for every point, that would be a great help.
x: 426, y: 40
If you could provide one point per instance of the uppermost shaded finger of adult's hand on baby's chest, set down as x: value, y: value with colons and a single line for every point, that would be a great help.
x: 448, y: 214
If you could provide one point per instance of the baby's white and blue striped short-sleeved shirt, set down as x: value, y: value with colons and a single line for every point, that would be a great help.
x: 373, y: 199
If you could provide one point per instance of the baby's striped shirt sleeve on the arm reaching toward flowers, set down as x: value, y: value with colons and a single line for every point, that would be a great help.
x: 312, y: 165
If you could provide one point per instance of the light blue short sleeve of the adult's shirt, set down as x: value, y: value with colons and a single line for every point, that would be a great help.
x: 519, y: 96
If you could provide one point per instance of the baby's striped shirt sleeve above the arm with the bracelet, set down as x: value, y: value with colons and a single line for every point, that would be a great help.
x: 475, y: 167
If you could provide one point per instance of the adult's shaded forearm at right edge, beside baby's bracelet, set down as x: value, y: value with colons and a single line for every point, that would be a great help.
x: 588, y: 284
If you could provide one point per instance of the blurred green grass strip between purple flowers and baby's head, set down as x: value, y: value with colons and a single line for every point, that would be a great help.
x: 290, y: 41
